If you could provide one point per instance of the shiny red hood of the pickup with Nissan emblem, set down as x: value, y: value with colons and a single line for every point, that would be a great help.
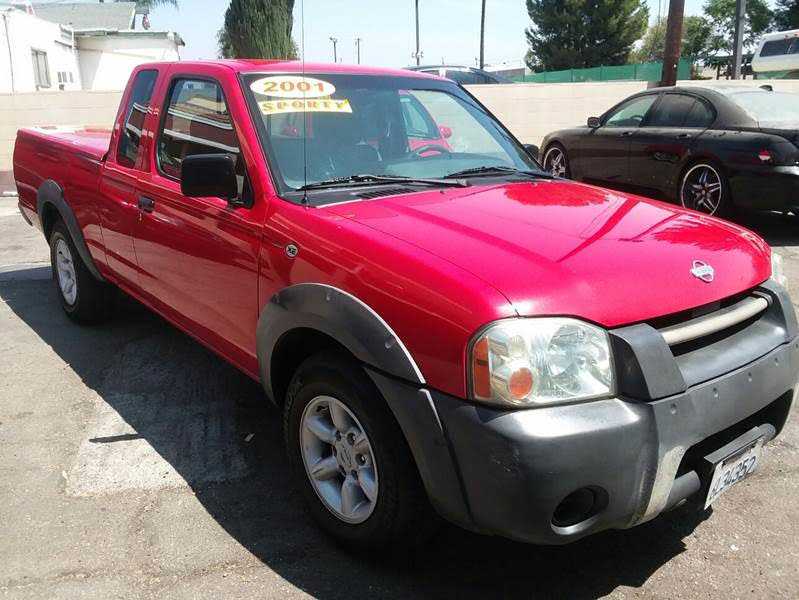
x: 564, y: 248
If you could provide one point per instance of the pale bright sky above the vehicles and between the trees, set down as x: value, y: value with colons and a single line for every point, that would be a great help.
x: 449, y: 29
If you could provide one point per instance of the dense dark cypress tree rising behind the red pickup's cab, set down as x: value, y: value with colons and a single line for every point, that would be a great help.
x: 257, y: 29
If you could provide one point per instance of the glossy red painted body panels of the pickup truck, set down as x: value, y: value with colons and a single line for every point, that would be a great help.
x: 436, y: 265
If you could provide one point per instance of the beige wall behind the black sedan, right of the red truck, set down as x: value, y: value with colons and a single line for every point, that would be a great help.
x: 533, y: 110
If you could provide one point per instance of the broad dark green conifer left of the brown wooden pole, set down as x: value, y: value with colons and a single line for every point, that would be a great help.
x: 569, y: 34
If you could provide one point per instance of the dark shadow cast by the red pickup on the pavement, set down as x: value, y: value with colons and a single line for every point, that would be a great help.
x: 196, y: 411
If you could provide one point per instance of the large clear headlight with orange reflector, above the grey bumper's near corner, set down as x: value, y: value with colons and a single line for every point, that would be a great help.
x: 540, y: 361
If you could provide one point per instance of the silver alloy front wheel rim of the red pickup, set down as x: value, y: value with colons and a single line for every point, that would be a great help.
x: 338, y: 459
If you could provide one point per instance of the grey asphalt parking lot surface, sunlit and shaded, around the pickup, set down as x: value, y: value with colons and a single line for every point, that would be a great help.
x: 136, y: 464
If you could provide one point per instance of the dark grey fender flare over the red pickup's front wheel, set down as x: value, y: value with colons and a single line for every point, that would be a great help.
x: 340, y: 315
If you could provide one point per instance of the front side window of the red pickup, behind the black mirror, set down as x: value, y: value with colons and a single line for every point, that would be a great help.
x: 196, y: 121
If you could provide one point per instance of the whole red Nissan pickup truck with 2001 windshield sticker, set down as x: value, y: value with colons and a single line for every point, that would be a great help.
x: 447, y: 328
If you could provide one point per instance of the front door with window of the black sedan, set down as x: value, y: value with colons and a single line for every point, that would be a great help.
x: 605, y: 151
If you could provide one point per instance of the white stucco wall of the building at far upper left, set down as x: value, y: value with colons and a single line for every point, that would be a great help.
x: 19, y: 34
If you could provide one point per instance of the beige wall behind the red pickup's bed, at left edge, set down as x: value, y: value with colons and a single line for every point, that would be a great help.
x: 60, y: 108
